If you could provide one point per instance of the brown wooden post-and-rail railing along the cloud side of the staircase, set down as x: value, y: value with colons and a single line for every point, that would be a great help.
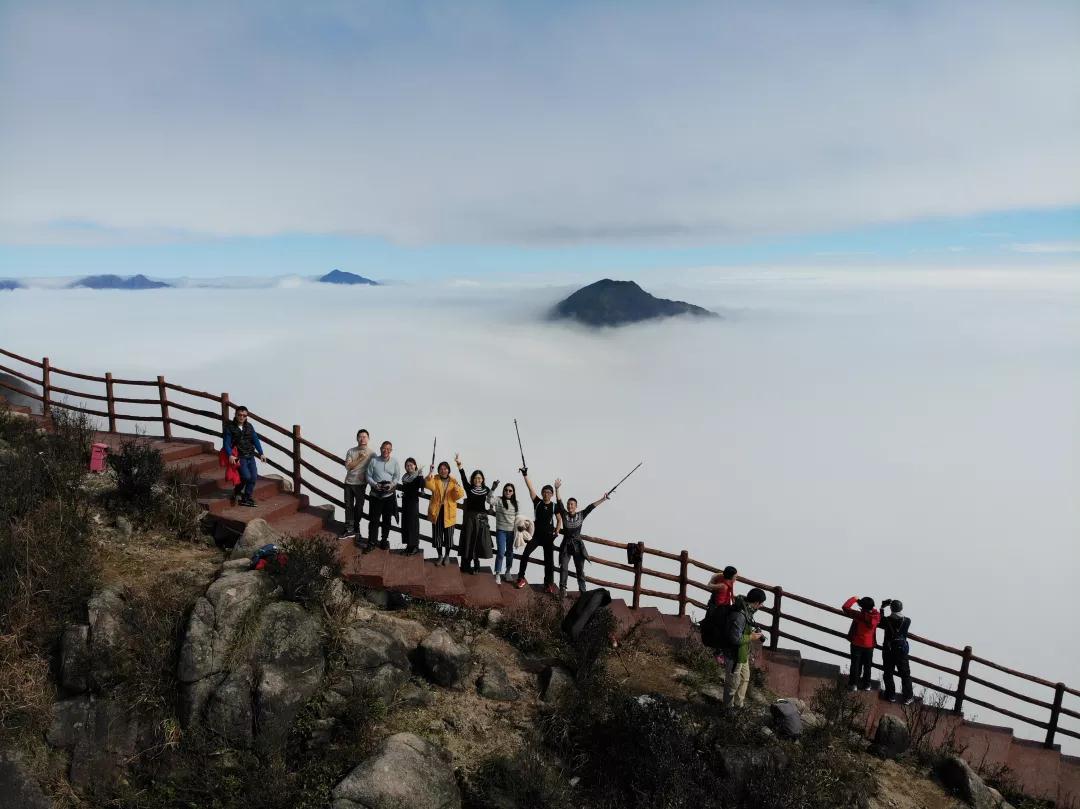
x: 307, y: 469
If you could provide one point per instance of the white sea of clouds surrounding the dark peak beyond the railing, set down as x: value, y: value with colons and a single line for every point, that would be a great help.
x: 908, y: 435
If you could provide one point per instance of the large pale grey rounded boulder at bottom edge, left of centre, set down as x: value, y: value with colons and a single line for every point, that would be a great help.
x: 407, y: 773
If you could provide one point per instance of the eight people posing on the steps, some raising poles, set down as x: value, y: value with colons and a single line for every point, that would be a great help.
x: 374, y: 480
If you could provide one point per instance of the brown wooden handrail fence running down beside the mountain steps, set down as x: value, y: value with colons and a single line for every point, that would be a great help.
x: 638, y: 571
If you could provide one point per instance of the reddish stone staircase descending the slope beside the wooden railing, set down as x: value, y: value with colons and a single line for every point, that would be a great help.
x: 1043, y: 772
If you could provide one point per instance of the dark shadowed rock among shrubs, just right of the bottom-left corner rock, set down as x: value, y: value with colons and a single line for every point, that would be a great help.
x: 103, y: 737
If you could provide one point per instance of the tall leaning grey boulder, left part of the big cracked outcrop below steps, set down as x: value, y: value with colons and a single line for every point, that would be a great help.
x: 215, y: 623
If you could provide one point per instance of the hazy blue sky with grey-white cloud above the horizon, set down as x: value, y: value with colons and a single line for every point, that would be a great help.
x: 413, y: 140
